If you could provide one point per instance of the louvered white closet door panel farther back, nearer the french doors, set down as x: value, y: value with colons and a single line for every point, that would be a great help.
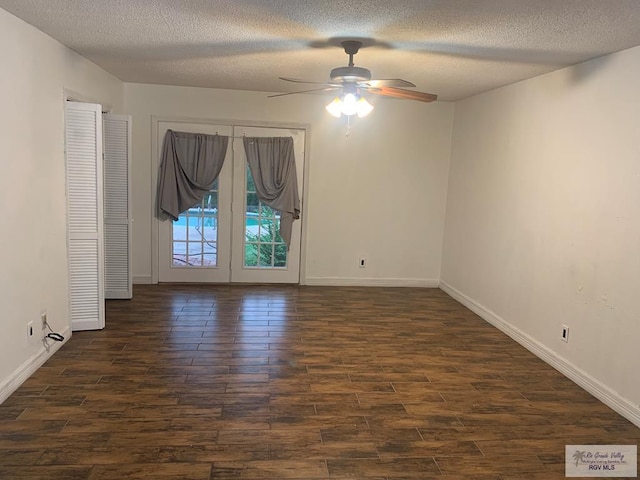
x: 117, y: 206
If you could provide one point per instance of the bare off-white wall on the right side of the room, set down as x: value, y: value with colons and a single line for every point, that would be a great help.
x: 543, y: 219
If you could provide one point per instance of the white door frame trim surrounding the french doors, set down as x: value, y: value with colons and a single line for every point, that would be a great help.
x: 155, y: 165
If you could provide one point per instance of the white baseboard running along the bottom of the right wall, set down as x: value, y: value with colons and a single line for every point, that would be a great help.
x: 599, y: 390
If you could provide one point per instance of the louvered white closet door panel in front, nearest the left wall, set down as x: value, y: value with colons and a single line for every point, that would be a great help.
x: 83, y: 141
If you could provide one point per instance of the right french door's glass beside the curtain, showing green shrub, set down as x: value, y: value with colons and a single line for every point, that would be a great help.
x: 263, y: 244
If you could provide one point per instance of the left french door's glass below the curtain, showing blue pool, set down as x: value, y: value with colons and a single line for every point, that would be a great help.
x: 195, y: 234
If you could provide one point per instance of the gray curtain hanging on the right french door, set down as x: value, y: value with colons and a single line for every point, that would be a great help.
x: 273, y: 167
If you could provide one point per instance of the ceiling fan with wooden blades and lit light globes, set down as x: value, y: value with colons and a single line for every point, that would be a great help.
x: 352, y: 81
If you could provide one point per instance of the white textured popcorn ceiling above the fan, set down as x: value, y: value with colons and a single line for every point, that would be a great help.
x: 453, y: 48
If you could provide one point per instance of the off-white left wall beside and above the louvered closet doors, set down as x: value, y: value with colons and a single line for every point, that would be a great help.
x: 33, y: 249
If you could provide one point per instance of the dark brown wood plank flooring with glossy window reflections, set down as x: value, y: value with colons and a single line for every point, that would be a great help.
x: 286, y: 382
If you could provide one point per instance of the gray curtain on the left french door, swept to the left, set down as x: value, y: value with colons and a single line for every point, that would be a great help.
x: 190, y: 164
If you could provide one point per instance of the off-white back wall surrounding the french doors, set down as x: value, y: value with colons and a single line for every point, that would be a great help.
x: 380, y: 192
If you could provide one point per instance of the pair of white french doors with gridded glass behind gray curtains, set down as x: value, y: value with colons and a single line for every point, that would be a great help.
x: 231, y: 236
